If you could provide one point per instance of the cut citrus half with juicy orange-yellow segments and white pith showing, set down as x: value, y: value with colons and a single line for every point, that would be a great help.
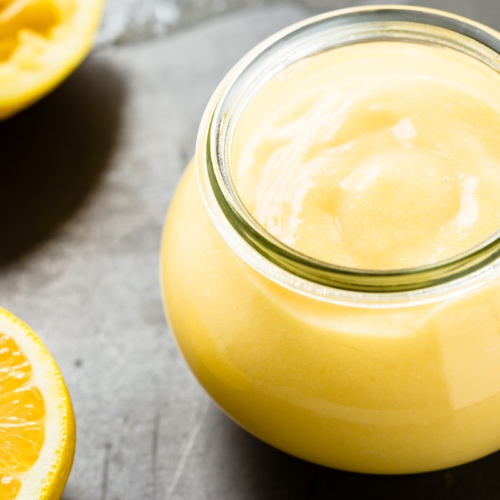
x: 37, y: 426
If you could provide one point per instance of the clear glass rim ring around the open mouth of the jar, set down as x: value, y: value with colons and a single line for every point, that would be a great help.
x: 315, y: 35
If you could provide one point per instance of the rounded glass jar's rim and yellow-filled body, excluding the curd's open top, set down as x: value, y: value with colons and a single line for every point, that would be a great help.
x: 377, y: 371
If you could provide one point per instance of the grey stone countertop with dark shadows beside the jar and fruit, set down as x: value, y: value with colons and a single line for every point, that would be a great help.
x: 87, y: 177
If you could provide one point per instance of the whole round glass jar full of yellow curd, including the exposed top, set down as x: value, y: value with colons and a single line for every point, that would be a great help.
x: 330, y: 262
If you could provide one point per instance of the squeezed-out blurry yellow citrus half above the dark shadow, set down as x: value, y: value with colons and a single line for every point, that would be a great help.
x: 41, y: 42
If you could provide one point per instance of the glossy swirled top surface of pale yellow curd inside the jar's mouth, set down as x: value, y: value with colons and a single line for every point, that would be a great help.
x: 374, y: 156
